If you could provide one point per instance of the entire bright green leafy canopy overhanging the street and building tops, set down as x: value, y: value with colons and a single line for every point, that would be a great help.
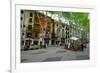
x: 80, y: 19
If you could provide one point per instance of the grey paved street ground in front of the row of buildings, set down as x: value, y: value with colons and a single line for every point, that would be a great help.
x: 53, y: 54
